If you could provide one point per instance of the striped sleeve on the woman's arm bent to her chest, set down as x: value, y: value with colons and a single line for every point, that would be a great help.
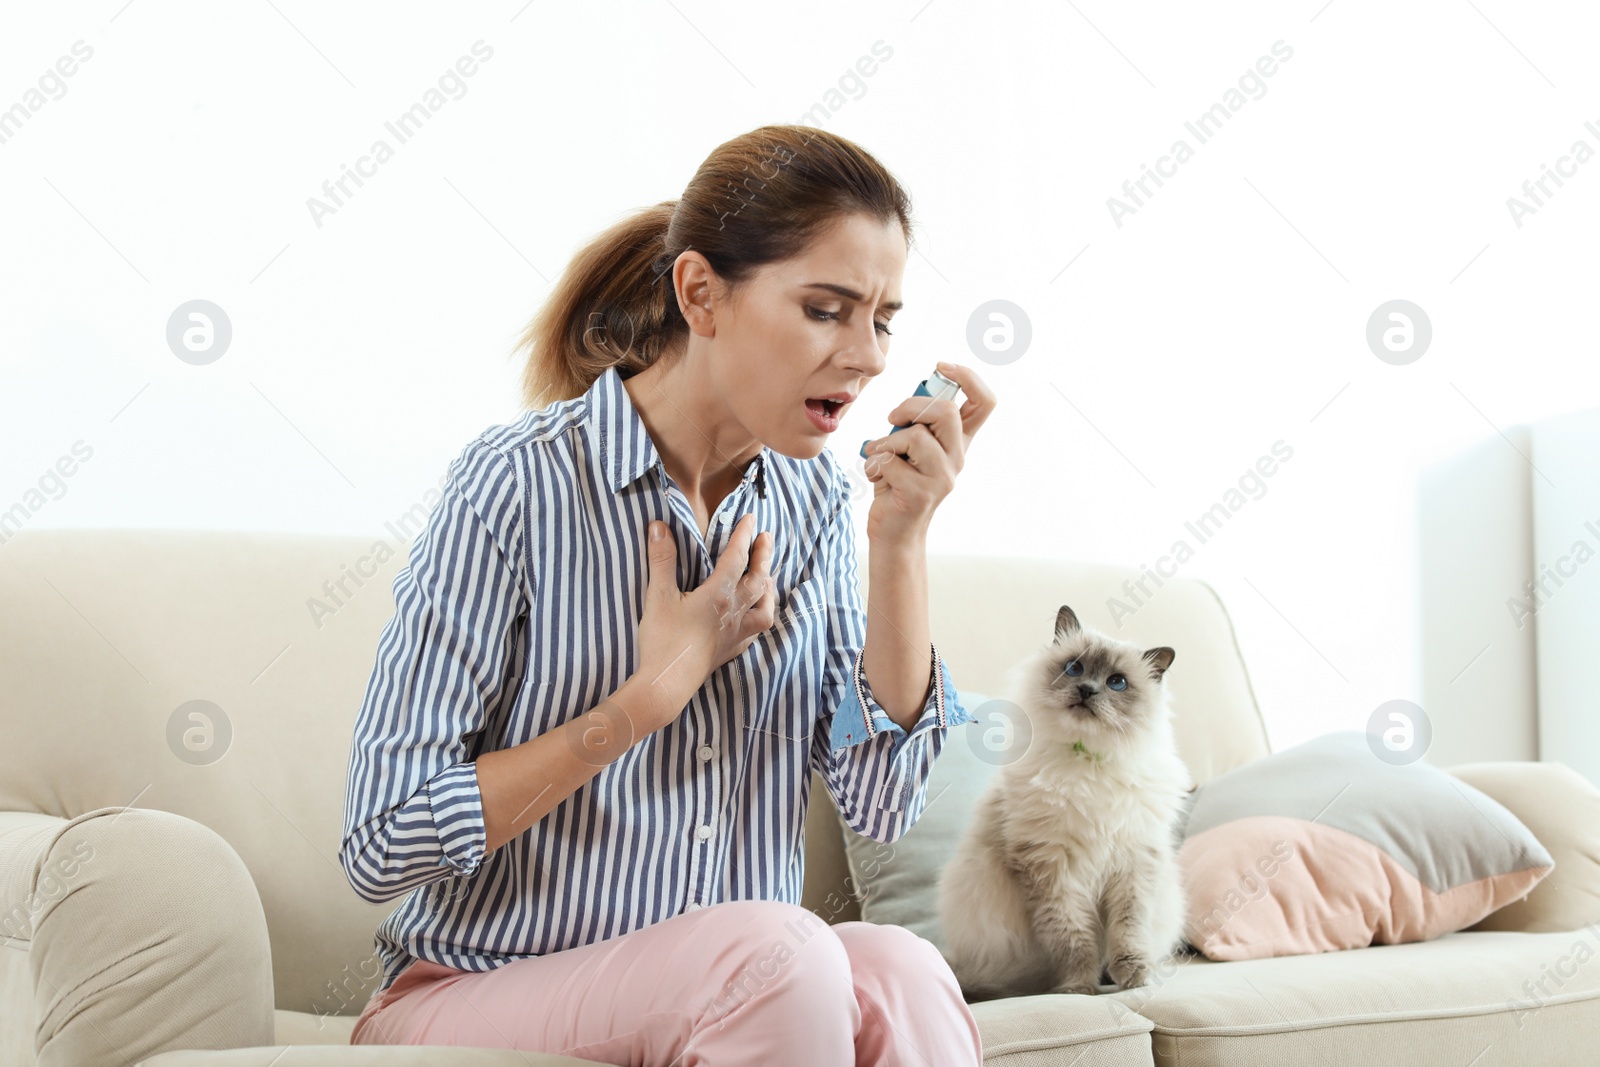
x: 412, y: 810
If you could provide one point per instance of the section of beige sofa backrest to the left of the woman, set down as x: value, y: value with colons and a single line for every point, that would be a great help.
x: 106, y: 641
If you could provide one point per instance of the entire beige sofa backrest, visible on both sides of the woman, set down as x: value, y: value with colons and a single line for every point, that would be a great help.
x: 113, y: 639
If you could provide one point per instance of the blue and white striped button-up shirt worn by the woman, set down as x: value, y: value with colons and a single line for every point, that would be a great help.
x: 519, y: 610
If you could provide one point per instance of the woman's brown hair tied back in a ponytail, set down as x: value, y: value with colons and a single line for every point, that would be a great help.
x: 758, y: 199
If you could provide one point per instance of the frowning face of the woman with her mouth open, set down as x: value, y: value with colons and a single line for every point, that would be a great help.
x: 810, y: 327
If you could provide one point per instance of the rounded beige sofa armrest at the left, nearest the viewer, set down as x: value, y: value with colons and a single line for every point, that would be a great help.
x: 143, y: 930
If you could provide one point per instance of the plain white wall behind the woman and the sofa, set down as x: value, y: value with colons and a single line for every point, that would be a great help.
x: 1167, y: 356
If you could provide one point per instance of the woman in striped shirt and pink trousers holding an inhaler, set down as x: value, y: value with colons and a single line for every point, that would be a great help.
x: 590, y: 785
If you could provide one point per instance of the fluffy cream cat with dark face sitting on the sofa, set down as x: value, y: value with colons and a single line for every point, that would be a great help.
x: 1070, y: 866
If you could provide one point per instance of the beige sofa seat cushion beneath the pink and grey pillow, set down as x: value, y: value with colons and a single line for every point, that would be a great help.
x: 1482, y: 999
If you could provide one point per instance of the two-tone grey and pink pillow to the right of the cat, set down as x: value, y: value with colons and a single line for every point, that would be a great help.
x: 1329, y: 847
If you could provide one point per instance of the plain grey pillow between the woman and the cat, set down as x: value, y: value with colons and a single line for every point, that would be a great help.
x: 900, y: 881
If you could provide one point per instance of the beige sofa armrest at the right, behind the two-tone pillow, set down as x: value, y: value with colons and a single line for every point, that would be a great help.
x: 1562, y: 809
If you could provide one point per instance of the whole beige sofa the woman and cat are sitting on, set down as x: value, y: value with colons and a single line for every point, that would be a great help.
x: 172, y: 882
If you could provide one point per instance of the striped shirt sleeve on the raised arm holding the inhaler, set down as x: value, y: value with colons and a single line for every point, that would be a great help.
x: 876, y: 770
